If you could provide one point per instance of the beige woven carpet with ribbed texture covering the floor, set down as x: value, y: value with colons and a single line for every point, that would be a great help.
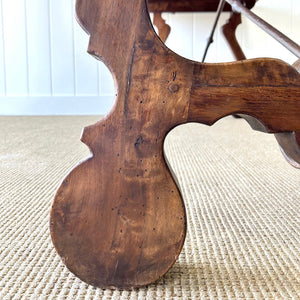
x: 242, y: 200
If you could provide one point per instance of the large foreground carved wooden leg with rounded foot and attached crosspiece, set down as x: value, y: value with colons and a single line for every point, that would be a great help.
x: 118, y: 219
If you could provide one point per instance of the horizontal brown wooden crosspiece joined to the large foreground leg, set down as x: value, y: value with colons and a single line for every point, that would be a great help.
x: 257, y: 88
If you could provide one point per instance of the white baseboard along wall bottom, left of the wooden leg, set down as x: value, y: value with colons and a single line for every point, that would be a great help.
x: 56, y: 105
